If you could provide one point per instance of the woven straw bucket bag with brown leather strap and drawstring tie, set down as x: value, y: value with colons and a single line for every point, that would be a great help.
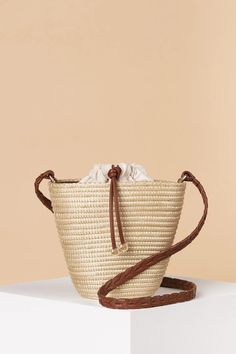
x: 124, y: 275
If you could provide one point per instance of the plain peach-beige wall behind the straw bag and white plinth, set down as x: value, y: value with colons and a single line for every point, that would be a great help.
x: 151, y: 82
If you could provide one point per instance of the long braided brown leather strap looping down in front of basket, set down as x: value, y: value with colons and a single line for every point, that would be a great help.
x: 131, y: 272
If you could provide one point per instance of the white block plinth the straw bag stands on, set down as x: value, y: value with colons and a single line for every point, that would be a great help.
x: 49, y: 317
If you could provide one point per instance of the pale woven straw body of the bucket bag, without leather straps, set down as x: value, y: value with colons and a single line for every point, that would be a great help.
x: 150, y: 213
